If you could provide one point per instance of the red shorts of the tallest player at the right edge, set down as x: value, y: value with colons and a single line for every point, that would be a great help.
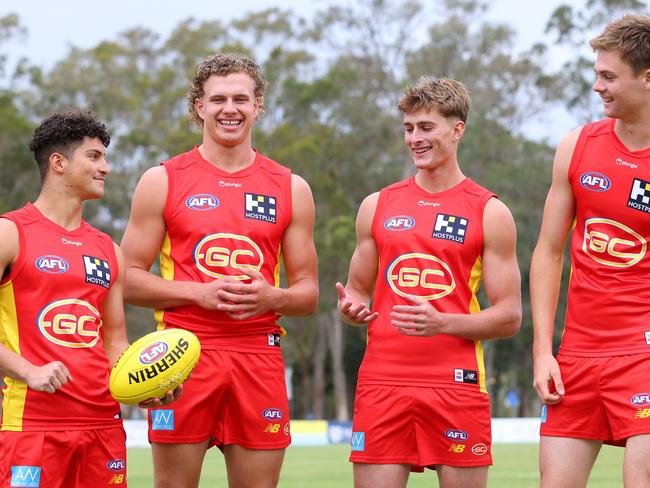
x: 607, y: 398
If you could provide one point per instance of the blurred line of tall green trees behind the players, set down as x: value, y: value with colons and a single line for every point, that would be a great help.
x: 331, y: 116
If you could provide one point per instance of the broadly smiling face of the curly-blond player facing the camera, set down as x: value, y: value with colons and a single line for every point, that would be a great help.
x: 228, y: 109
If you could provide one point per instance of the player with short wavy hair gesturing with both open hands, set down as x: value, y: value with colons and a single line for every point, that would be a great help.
x: 423, y: 247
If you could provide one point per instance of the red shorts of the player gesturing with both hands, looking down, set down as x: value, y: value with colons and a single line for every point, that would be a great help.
x: 421, y: 426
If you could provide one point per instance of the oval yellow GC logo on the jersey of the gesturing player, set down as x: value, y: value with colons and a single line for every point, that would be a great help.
x: 421, y: 275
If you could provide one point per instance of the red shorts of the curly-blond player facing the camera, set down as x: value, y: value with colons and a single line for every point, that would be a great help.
x: 231, y: 398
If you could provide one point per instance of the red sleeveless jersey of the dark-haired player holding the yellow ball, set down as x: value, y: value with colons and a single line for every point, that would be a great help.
x: 51, y: 310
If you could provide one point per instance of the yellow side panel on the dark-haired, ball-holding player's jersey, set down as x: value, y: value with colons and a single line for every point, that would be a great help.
x: 13, y: 401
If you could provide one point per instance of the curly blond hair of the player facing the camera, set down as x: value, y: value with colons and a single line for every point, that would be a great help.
x: 224, y: 64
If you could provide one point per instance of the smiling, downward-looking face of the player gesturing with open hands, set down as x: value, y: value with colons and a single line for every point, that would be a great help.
x: 432, y: 138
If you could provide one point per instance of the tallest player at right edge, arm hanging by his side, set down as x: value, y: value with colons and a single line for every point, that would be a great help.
x: 597, y: 388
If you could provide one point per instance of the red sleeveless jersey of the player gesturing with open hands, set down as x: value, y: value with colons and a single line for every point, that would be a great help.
x: 429, y: 245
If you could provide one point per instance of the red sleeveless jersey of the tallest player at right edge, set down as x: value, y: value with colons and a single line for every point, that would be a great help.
x: 608, y: 310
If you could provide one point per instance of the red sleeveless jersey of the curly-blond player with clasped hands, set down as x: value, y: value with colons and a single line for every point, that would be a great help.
x: 218, y: 222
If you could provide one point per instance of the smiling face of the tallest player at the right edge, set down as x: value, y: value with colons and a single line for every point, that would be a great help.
x: 623, y: 92
